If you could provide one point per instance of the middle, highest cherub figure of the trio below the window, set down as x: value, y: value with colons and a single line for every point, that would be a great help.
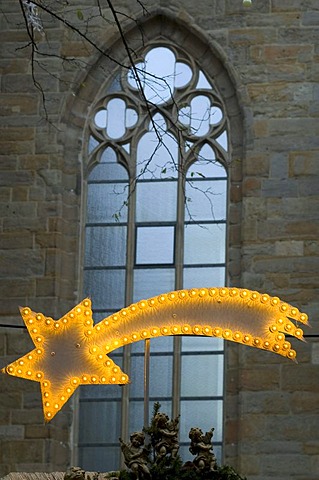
x: 166, y: 436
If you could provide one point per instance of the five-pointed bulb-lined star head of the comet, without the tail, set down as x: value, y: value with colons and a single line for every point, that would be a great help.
x: 65, y: 356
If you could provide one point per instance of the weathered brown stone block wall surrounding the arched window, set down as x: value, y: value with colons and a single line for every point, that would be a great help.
x: 270, y: 55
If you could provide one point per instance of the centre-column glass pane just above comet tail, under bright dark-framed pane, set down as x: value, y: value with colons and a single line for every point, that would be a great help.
x: 151, y: 282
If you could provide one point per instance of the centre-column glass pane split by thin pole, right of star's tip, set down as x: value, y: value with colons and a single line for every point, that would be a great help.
x: 160, y: 368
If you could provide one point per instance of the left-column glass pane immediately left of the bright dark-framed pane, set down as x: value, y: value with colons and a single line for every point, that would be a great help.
x: 105, y: 246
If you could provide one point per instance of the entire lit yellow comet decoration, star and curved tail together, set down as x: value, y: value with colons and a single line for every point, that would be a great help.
x: 72, y: 351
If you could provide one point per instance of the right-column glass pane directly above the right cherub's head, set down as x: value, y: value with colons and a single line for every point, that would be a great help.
x: 205, y: 414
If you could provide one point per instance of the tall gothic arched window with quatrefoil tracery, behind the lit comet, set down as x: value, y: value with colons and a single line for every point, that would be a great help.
x: 156, y: 222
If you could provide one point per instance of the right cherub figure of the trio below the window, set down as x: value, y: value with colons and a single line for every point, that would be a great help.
x: 201, y: 446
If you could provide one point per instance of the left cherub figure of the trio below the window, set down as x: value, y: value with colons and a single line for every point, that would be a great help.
x: 136, y: 456
